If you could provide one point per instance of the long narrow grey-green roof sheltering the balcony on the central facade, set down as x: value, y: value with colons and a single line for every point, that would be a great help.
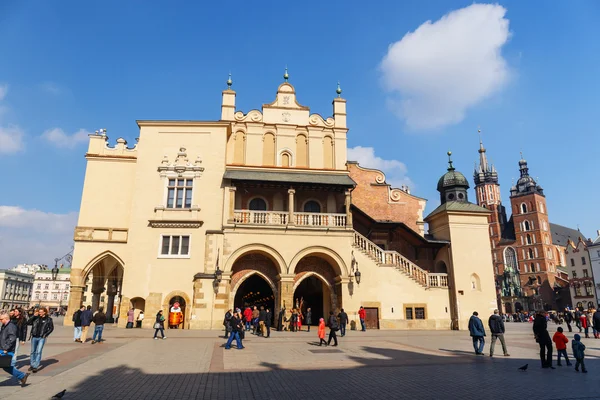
x: 290, y: 177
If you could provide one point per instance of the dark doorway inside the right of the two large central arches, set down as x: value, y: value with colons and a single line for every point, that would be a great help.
x: 315, y: 294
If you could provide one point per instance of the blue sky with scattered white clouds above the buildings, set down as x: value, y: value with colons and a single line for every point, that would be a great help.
x: 419, y: 77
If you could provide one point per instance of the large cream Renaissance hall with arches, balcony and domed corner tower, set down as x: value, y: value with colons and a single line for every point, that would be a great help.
x: 264, y: 208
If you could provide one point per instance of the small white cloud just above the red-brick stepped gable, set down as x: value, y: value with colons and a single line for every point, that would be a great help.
x: 395, y: 171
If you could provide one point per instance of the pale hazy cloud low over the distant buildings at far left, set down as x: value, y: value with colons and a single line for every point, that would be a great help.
x: 34, y: 236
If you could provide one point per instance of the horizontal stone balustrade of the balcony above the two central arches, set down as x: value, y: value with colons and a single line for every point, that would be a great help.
x: 282, y: 218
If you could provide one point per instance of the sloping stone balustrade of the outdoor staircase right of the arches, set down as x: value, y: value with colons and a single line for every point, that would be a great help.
x: 392, y: 258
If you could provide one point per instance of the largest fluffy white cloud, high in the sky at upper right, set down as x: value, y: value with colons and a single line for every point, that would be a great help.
x: 440, y: 70
